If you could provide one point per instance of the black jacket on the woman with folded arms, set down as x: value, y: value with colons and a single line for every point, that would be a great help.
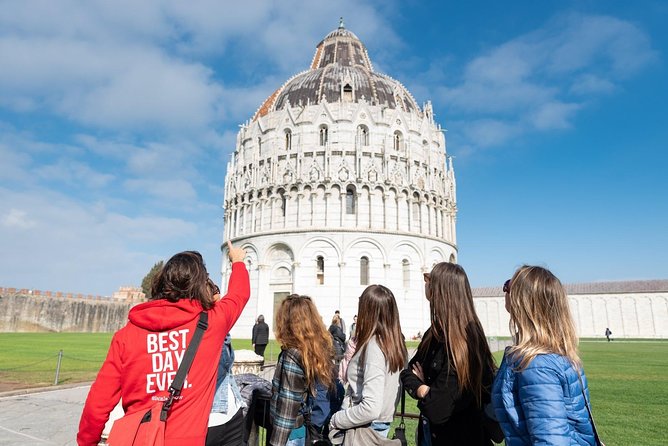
x: 454, y: 417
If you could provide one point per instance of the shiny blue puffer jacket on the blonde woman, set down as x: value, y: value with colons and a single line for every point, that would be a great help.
x: 543, y: 404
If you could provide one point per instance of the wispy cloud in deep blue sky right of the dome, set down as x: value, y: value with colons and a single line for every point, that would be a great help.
x: 540, y: 80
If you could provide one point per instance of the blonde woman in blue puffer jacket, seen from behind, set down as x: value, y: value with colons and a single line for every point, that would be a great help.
x: 539, y: 390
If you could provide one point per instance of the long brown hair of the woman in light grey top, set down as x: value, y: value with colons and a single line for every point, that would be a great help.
x: 378, y: 315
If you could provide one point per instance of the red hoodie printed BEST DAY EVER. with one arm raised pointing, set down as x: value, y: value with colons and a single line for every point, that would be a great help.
x: 145, y: 354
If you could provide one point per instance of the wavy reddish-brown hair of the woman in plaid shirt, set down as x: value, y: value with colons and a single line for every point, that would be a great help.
x: 299, y: 325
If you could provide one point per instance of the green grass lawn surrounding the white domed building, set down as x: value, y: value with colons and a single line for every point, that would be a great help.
x: 628, y: 379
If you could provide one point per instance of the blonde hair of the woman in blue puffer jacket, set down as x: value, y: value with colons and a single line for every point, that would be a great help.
x: 540, y: 317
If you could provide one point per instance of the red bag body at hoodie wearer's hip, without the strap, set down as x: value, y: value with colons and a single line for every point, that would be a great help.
x: 141, y: 428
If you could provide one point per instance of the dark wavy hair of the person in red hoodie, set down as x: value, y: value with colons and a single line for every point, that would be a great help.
x: 184, y: 276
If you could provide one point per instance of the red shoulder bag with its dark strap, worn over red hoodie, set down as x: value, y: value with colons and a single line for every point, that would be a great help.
x: 147, y: 427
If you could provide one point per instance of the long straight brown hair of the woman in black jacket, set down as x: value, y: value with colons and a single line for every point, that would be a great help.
x: 455, y: 323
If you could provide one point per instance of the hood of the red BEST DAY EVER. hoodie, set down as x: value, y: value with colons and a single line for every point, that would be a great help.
x: 162, y: 315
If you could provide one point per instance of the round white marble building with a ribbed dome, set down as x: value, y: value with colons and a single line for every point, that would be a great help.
x: 338, y: 181
